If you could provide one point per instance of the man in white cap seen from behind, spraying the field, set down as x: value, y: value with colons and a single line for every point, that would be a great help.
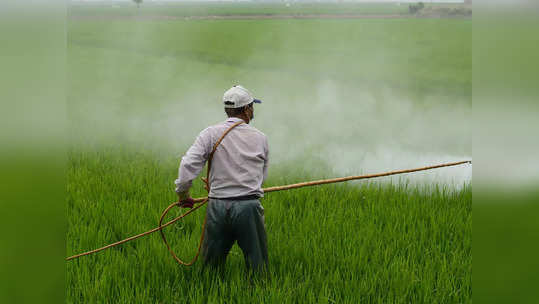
x: 238, y: 169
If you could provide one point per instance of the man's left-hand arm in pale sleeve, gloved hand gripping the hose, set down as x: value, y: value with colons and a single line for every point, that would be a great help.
x: 192, y: 163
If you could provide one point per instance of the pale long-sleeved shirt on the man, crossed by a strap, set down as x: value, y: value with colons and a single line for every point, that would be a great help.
x: 239, y: 165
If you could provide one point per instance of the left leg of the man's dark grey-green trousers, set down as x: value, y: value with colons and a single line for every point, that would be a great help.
x: 217, y: 239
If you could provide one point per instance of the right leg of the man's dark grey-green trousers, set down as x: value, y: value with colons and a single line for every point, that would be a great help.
x: 250, y: 232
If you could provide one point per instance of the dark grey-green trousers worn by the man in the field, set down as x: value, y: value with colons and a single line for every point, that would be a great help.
x: 235, y: 220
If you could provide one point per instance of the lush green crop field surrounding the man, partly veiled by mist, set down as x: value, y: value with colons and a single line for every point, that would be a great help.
x: 140, y: 91
